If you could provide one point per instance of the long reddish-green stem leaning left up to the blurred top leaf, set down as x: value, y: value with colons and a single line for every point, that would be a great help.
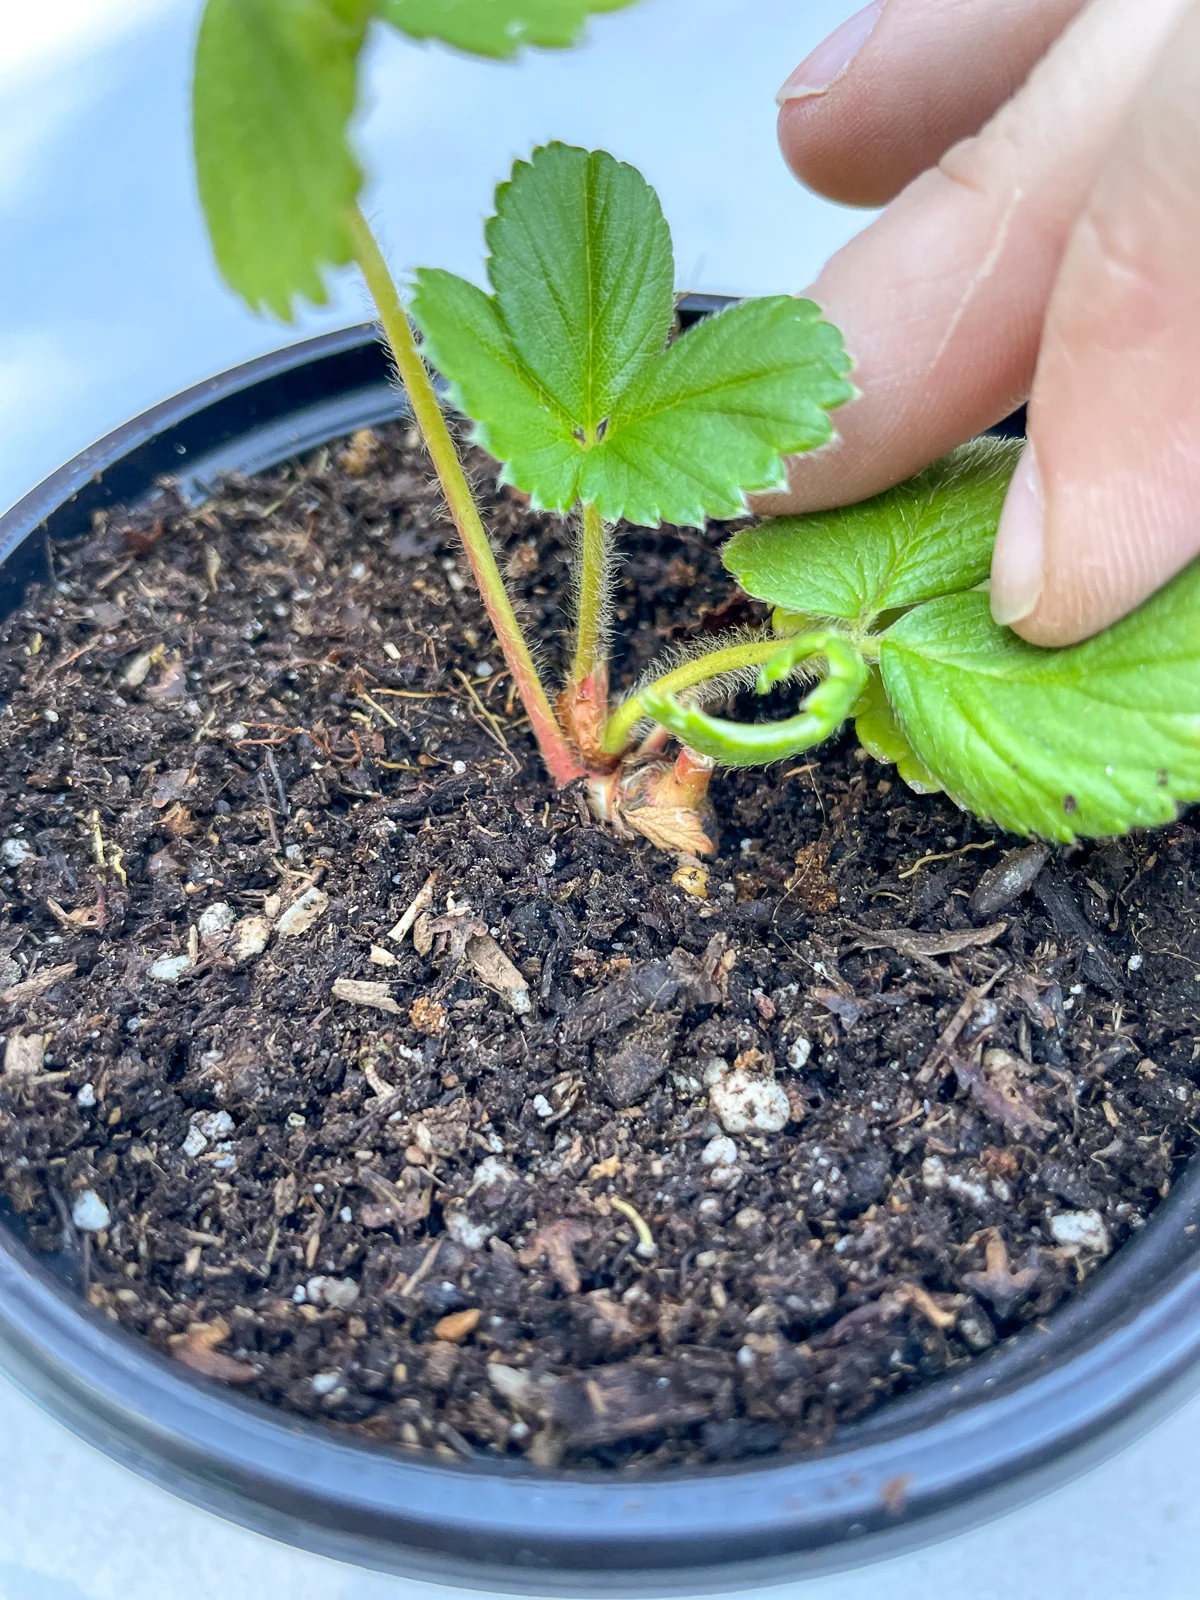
x: 428, y: 415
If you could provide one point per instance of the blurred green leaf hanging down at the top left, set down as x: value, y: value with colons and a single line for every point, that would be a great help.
x: 273, y: 95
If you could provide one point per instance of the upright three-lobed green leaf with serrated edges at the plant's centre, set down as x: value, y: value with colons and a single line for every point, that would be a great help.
x: 567, y: 370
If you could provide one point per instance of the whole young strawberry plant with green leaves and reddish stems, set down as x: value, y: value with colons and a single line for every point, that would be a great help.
x: 578, y: 385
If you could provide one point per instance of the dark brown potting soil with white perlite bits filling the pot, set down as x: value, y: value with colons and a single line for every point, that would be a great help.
x: 412, y: 1217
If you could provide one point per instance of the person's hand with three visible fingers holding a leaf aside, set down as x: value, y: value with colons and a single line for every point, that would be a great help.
x: 1052, y: 249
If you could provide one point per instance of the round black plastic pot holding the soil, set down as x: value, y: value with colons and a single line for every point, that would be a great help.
x: 1020, y: 1420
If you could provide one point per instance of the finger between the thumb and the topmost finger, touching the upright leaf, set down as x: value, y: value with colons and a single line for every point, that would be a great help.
x: 943, y: 298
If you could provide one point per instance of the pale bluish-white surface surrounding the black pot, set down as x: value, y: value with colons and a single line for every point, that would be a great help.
x: 110, y: 303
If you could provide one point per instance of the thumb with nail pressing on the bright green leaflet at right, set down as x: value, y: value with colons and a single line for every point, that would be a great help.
x: 1106, y: 502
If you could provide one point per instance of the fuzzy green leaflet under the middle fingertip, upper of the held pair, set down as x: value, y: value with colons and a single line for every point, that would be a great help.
x: 926, y: 538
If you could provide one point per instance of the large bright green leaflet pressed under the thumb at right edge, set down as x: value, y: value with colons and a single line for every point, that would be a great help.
x: 1084, y: 742
